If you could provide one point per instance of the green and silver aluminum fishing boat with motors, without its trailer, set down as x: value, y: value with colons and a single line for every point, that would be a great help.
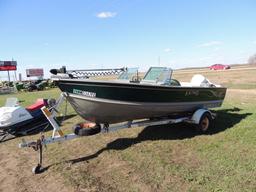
x: 129, y: 97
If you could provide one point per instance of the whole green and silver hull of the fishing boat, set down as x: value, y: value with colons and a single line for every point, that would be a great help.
x: 104, y: 102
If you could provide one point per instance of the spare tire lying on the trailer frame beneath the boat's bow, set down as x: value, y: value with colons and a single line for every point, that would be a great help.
x: 86, y: 129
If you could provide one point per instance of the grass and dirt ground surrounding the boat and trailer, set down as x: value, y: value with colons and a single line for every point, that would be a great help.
x: 159, y: 158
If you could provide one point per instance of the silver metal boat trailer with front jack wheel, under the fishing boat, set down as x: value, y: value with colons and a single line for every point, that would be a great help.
x: 201, y: 117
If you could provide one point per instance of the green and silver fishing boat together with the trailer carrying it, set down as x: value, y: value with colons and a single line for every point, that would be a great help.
x: 157, y: 99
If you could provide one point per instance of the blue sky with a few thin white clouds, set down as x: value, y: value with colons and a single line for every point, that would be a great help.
x: 114, y: 33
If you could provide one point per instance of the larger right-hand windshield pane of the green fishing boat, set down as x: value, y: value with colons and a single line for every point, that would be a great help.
x: 158, y: 74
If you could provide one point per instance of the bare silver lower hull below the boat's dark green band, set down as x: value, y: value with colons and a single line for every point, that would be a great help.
x: 109, y: 111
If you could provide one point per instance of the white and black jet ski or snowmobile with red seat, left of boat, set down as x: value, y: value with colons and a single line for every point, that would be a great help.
x: 17, y: 120
